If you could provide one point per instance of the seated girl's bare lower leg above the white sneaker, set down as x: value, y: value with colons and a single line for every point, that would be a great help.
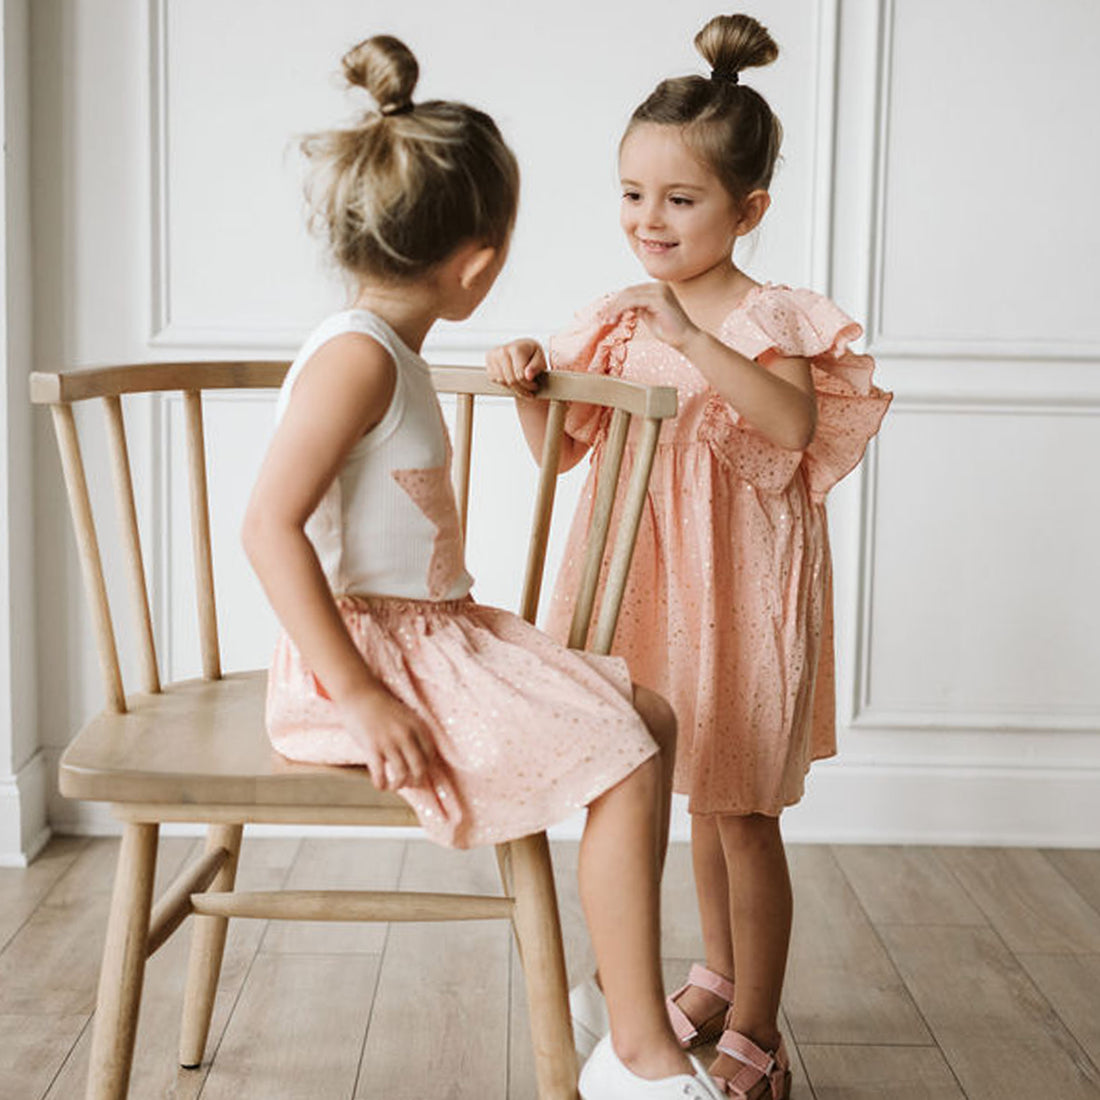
x: 620, y: 892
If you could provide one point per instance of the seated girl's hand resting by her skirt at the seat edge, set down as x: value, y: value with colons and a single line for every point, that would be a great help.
x: 400, y: 749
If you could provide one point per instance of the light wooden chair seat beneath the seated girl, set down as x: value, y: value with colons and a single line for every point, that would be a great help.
x: 204, y: 742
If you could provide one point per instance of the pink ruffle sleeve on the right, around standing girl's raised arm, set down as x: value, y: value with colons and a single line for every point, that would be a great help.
x: 780, y: 322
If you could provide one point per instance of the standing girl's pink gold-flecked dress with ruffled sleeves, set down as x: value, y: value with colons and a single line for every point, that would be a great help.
x: 728, y: 611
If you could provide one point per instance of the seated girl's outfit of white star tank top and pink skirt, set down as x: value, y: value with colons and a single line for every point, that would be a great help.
x: 527, y: 731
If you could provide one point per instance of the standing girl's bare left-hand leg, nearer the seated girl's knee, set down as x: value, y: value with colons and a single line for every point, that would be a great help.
x: 712, y: 889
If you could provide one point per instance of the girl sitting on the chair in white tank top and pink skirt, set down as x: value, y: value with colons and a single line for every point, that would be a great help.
x: 486, y: 727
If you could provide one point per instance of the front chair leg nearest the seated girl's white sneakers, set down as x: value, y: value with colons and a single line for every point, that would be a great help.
x: 538, y: 932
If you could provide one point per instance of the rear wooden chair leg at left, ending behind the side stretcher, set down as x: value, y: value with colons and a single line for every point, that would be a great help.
x: 208, y: 944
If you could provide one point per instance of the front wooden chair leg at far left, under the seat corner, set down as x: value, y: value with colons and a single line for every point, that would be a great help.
x: 124, y: 967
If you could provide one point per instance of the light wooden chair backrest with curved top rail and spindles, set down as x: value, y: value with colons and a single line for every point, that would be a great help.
x: 624, y: 401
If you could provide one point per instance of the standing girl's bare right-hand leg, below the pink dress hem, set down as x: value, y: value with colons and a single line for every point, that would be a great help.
x: 761, y: 916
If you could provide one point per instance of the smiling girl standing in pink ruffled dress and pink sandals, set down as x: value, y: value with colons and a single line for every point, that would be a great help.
x: 729, y: 609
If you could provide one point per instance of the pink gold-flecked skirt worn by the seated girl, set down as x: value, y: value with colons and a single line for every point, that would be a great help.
x: 529, y: 732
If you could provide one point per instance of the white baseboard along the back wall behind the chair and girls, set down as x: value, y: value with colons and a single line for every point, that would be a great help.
x: 845, y: 805
